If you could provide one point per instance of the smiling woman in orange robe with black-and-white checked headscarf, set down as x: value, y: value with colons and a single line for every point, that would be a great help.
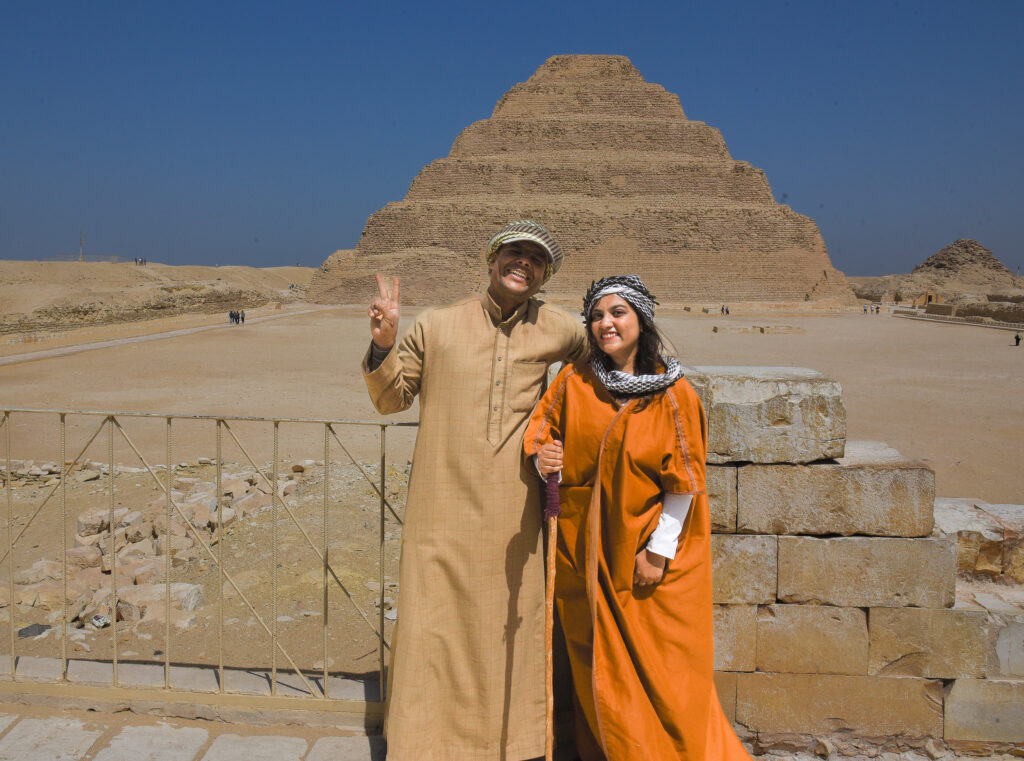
x: 633, y: 580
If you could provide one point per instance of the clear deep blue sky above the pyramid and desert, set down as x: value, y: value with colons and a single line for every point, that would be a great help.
x: 266, y: 134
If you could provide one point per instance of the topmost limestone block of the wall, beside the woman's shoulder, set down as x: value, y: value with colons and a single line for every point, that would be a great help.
x: 771, y: 415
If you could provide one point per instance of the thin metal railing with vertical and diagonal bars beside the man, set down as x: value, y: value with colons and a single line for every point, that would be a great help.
x: 212, y: 548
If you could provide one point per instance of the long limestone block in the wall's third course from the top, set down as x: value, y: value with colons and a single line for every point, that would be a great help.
x: 868, y: 572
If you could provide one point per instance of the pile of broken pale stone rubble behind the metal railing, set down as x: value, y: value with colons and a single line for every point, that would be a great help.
x: 142, y: 540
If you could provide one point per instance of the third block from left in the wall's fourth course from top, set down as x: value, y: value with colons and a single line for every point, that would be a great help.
x: 943, y: 645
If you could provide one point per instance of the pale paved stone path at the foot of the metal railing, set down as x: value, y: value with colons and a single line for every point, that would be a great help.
x: 31, y: 734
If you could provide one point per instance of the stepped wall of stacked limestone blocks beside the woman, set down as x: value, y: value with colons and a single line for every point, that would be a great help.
x: 838, y: 621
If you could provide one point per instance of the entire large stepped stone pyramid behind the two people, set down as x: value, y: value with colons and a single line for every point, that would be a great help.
x: 624, y: 181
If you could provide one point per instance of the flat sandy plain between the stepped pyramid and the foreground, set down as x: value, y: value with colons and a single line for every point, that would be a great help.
x: 947, y: 395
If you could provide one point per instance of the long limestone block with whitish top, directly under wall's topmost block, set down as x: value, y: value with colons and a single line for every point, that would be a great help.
x: 871, y: 490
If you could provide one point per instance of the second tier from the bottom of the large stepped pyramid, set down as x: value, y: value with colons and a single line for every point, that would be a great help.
x: 691, y: 185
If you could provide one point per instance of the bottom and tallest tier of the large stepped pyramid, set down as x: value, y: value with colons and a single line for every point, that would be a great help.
x: 684, y: 256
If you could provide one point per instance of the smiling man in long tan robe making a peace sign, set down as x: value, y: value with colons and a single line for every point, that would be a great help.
x: 466, y: 680
